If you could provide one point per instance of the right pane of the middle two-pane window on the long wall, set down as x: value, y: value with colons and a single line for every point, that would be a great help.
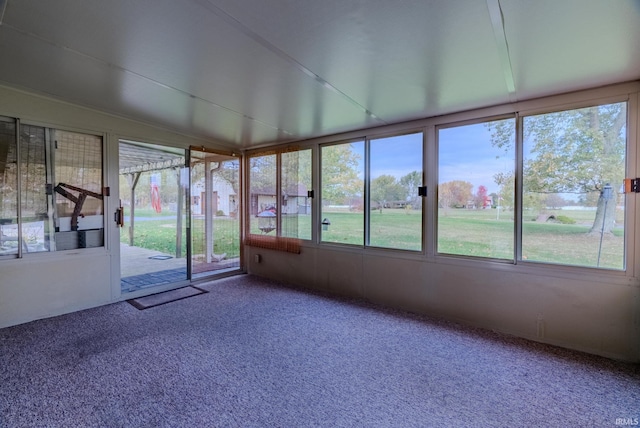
x: 396, y: 208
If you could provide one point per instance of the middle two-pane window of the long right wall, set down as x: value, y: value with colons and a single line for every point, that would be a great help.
x: 370, y: 192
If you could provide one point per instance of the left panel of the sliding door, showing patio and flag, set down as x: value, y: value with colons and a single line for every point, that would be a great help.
x: 154, y: 184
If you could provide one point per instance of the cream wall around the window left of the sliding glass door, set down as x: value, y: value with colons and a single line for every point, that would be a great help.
x: 44, y: 285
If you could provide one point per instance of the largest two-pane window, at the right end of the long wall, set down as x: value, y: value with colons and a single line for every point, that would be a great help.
x: 569, y: 201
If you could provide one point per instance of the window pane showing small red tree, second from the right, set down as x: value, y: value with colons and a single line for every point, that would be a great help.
x: 476, y: 190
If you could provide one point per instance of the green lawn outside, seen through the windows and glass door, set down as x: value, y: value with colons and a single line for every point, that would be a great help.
x: 476, y: 233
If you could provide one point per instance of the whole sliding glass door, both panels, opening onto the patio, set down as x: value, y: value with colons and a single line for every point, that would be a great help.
x: 179, y: 215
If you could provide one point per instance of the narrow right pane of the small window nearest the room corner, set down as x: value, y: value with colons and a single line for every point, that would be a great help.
x: 296, y: 205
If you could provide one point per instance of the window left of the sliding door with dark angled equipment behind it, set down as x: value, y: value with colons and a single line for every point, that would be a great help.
x: 57, y: 178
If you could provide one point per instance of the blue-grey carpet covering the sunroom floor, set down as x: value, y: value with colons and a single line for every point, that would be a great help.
x: 253, y: 353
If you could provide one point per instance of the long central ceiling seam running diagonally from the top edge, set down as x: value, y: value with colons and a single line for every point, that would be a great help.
x: 229, y: 19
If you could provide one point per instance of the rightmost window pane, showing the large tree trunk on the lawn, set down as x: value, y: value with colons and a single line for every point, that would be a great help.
x: 574, y: 165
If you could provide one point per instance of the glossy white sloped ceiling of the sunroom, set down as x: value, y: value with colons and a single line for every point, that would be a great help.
x: 252, y: 72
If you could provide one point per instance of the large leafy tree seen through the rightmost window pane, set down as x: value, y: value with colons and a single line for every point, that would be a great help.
x: 574, y: 151
